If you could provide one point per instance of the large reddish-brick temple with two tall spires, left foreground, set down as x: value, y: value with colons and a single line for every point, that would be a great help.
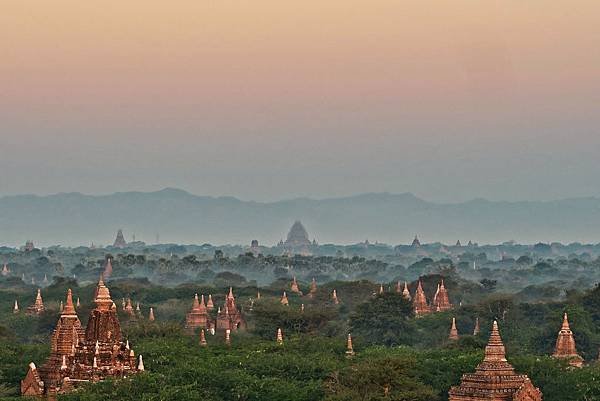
x: 82, y: 356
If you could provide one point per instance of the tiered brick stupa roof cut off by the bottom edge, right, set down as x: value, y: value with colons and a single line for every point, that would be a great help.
x: 494, y: 378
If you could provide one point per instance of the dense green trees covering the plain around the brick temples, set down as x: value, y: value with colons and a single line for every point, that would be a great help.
x: 398, y: 356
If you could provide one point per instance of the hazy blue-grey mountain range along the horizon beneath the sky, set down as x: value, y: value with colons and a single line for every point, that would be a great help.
x: 180, y: 217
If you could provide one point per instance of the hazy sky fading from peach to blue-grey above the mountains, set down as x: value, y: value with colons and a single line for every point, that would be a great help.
x: 265, y: 100
